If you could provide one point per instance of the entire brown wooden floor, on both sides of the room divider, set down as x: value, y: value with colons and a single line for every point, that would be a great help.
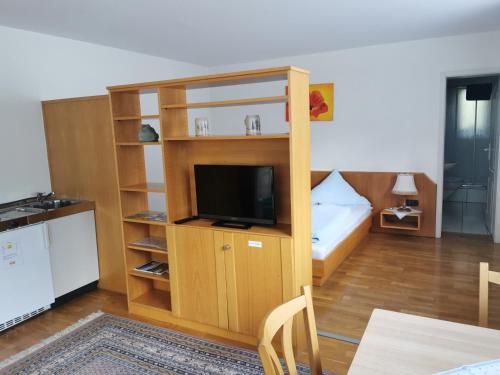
x: 435, y: 278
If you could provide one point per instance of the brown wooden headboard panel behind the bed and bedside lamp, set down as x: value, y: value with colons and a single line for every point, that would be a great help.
x: 377, y: 186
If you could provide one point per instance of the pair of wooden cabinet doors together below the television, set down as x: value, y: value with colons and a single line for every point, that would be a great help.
x: 226, y: 279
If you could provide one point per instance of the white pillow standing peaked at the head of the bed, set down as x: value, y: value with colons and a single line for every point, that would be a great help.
x: 335, y: 190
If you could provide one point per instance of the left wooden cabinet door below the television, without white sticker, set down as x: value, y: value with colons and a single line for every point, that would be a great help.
x: 193, y: 253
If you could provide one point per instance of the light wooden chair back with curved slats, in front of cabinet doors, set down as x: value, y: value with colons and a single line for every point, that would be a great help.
x: 282, y: 316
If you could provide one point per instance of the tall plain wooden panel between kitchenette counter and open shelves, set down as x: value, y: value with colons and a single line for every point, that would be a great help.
x: 79, y: 138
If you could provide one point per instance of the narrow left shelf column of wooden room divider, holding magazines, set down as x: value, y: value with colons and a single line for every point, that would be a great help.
x: 148, y: 291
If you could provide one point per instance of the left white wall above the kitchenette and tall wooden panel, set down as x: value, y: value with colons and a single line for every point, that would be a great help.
x: 35, y: 67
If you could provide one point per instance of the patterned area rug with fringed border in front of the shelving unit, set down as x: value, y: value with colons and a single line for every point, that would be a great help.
x: 107, y: 344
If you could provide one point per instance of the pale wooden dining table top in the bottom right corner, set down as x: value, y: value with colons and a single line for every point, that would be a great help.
x: 396, y: 343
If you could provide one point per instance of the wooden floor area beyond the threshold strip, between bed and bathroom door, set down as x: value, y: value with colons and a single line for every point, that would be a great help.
x: 422, y: 276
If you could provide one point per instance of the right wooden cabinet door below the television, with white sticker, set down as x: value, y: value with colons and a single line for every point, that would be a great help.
x: 254, y: 279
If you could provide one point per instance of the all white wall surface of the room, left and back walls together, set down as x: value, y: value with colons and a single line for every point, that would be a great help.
x: 389, y: 99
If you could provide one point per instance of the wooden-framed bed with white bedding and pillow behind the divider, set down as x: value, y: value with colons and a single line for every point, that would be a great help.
x: 341, y: 218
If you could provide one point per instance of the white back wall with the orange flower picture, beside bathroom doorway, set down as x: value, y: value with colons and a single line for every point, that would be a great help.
x: 389, y: 102
